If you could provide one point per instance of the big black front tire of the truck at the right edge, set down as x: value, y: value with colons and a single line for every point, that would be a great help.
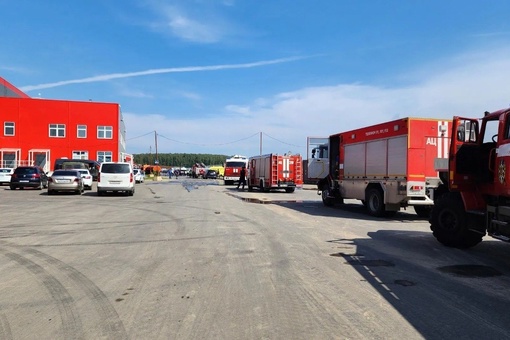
x: 448, y: 222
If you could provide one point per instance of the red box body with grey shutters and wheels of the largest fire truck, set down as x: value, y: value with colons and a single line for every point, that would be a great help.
x: 387, y: 166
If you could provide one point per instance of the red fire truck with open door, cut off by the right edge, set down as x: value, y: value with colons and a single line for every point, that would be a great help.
x: 478, y: 177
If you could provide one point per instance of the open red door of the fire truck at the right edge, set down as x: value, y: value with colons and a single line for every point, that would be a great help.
x: 464, y: 151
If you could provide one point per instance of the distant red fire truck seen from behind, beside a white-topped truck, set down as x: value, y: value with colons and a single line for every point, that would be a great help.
x: 273, y: 171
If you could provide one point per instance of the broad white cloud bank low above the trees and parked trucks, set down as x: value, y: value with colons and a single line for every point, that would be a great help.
x: 467, y: 85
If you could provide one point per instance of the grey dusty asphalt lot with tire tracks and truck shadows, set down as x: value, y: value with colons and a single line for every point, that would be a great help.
x: 191, y: 259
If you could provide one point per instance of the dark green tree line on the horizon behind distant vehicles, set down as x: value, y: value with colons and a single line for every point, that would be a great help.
x: 179, y: 159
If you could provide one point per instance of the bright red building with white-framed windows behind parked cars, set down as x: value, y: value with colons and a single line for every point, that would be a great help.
x: 38, y: 131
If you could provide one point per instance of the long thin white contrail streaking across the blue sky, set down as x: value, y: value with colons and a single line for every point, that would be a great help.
x: 106, y: 77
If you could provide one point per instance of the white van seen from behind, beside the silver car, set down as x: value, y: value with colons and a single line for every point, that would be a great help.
x: 115, y: 177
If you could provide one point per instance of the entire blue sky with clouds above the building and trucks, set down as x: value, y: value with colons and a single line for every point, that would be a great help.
x: 212, y: 76
